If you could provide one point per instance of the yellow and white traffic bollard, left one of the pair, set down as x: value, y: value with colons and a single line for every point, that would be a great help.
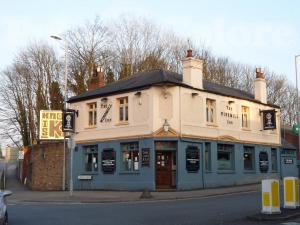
x: 270, y: 197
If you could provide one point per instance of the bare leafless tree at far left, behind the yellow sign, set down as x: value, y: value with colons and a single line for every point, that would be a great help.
x: 31, y: 84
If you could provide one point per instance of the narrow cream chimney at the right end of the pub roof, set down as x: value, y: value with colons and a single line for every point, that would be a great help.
x: 260, y: 86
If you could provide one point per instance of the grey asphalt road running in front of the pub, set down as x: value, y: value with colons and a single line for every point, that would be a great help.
x: 221, y: 210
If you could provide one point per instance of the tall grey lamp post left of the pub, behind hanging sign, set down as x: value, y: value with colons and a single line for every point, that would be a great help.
x: 65, y: 104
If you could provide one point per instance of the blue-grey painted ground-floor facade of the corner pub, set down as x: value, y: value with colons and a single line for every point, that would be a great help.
x: 214, y: 169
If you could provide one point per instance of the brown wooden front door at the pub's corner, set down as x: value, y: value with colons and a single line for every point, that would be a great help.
x: 164, y: 169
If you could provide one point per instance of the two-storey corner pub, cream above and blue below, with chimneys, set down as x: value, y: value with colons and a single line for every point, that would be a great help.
x: 164, y: 130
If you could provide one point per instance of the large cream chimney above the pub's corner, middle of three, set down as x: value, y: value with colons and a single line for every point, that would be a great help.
x: 192, y: 71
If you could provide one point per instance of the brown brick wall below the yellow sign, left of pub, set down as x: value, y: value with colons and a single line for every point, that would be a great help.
x: 44, y: 170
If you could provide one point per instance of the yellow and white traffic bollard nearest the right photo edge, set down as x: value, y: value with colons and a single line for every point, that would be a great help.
x: 291, y: 192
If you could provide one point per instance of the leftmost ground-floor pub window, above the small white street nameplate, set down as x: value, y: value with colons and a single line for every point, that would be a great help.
x: 91, y: 158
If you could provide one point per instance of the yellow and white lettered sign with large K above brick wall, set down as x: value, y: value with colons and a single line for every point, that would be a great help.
x: 51, y: 125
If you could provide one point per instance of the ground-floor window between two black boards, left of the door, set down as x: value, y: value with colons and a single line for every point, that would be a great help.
x: 130, y: 153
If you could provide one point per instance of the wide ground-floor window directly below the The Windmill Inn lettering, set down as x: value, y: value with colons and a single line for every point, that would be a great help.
x: 225, y: 157
